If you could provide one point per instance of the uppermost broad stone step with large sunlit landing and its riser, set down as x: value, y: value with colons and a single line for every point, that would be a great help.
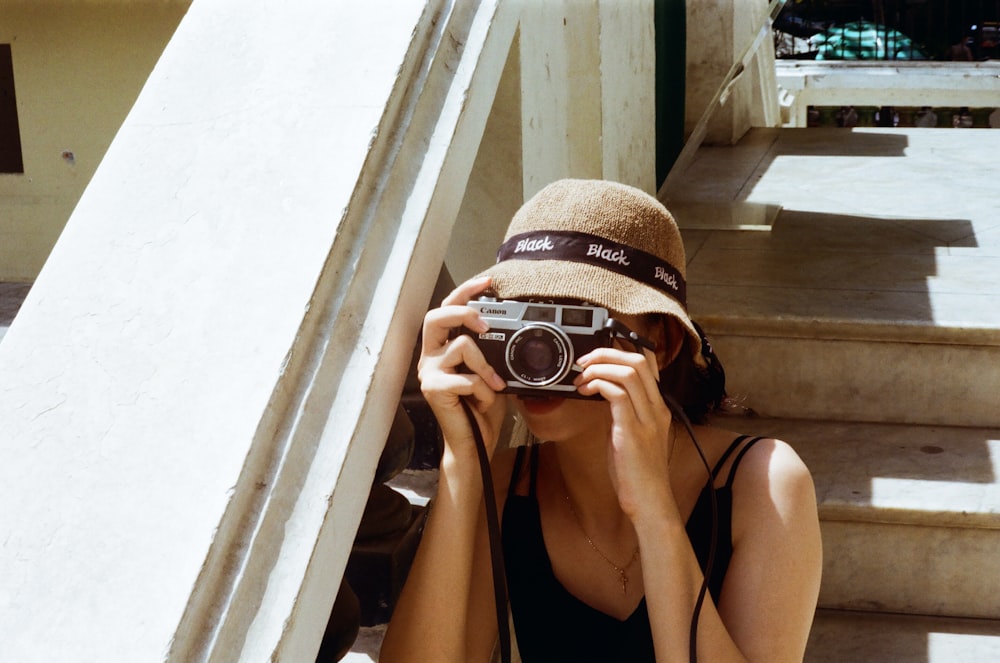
x: 871, y: 295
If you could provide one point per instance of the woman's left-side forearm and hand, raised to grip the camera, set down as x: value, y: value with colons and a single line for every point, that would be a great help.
x: 445, y: 610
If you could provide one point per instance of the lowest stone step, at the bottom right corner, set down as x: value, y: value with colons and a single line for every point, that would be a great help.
x: 860, y: 637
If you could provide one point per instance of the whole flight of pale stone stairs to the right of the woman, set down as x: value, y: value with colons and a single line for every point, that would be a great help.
x: 860, y: 321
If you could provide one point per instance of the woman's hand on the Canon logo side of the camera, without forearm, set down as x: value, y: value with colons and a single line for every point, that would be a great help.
x: 452, y: 367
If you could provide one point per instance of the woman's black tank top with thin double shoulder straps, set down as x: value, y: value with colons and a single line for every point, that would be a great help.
x: 553, y: 625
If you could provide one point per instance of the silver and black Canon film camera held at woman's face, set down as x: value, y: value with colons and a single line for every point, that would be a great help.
x: 534, y: 347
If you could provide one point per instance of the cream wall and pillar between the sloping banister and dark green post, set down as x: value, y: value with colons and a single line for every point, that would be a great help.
x: 576, y: 100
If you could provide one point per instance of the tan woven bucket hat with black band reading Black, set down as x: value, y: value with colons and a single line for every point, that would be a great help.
x: 601, y: 242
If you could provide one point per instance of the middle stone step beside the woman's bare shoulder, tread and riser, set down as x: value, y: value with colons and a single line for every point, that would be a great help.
x: 910, y: 514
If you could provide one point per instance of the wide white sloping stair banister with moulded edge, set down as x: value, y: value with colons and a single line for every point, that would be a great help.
x: 196, y: 391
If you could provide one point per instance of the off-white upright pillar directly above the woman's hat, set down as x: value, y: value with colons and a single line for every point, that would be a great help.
x: 588, y: 83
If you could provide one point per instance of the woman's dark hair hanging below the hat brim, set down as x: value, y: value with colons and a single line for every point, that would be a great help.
x: 698, y: 390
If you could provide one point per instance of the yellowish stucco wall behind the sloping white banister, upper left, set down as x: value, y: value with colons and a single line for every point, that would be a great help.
x: 78, y: 67
